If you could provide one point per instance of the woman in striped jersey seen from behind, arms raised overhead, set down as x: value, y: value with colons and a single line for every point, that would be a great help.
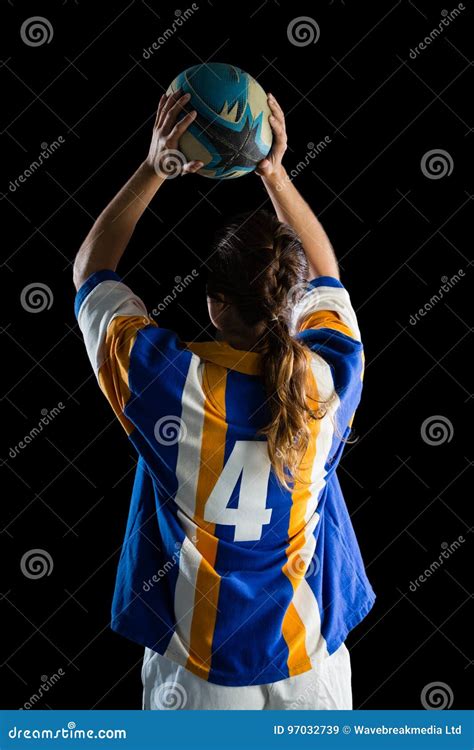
x: 240, y: 572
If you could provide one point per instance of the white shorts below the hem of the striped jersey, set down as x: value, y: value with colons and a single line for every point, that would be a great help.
x: 169, y: 686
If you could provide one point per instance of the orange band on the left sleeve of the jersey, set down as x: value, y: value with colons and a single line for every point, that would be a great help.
x: 113, y: 373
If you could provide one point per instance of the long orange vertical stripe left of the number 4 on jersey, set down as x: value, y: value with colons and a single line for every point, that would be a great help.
x: 211, y: 465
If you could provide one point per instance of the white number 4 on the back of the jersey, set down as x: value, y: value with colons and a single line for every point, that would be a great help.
x: 249, y: 459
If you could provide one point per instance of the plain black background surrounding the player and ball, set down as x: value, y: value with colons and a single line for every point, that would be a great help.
x: 396, y: 231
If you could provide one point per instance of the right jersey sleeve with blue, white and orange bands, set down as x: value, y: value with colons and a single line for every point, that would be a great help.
x: 326, y: 322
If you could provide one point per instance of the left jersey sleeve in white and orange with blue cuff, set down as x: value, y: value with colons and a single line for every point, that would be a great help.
x: 110, y: 317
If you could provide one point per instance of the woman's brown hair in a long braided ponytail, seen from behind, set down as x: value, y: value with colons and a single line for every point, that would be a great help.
x: 256, y: 262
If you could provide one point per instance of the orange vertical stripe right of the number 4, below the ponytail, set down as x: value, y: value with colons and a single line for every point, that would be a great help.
x: 293, y: 628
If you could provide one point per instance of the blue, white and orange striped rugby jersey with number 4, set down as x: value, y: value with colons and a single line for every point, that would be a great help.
x: 222, y: 570
